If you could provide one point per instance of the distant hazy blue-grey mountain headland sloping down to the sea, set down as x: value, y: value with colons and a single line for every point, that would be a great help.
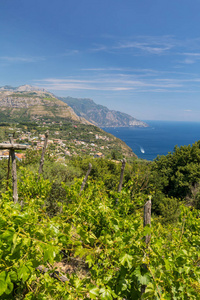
x: 100, y: 115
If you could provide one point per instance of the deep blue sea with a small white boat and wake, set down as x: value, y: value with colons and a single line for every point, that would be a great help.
x: 159, y: 138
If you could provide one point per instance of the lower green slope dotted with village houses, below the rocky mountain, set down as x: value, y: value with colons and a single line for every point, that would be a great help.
x: 67, y: 137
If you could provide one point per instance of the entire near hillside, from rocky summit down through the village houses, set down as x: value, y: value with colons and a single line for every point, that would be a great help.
x: 32, y: 111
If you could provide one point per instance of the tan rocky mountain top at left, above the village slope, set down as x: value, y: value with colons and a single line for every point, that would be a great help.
x: 29, y: 103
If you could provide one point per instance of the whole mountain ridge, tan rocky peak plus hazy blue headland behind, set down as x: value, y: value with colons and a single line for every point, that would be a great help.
x: 85, y: 109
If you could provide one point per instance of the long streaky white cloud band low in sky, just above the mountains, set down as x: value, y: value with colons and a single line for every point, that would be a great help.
x: 109, y: 82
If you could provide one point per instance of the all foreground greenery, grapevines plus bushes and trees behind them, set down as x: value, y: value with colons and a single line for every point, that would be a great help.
x: 60, y: 243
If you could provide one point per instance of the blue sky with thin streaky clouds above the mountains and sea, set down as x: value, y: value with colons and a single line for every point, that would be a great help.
x: 139, y: 57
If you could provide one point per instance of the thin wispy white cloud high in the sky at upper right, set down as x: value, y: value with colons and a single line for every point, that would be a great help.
x: 153, y: 45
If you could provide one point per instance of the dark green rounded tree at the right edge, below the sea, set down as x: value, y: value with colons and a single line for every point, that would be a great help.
x: 176, y: 173
